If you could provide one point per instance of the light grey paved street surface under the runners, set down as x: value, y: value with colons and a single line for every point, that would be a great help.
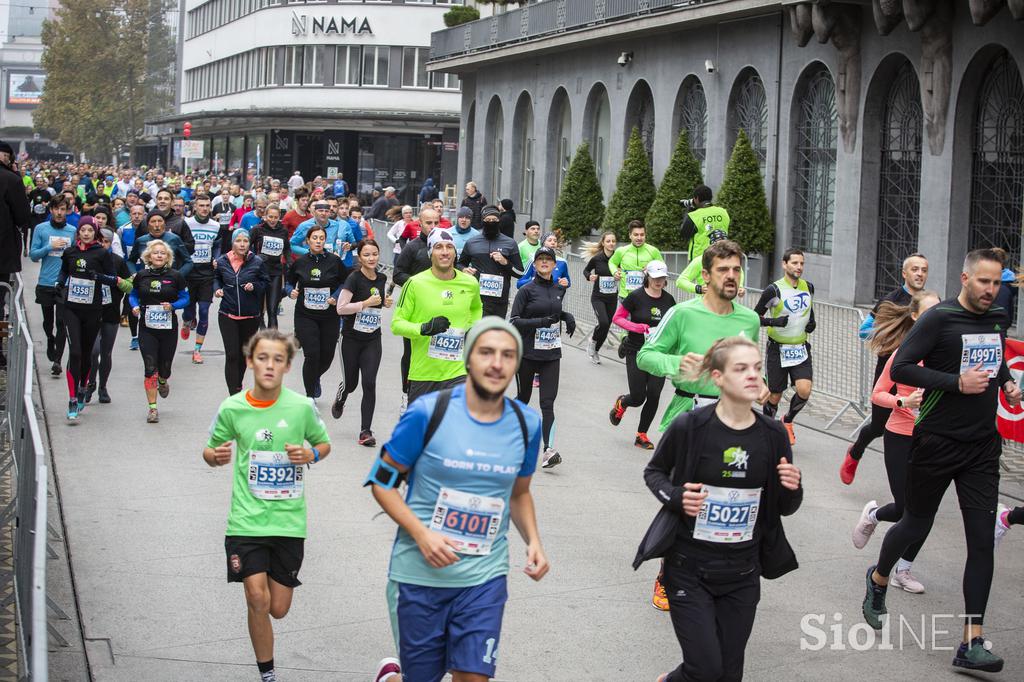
x: 146, y: 519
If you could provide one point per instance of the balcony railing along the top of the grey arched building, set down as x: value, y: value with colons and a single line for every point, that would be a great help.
x: 543, y: 19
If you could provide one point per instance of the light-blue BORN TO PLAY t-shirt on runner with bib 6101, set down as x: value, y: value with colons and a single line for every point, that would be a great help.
x: 472, y: 457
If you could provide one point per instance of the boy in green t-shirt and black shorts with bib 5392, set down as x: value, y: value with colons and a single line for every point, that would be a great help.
x: 267, y: 527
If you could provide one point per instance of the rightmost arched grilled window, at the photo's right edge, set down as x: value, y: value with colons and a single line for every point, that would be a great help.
x: 998, y: 166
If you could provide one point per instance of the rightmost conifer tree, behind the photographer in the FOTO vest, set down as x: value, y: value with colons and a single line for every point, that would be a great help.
x: 743, y: 195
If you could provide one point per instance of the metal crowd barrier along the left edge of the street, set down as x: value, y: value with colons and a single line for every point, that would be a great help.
x: 27, y: 509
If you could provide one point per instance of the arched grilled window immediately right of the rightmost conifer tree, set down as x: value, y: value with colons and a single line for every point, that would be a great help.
x: 815, y: 167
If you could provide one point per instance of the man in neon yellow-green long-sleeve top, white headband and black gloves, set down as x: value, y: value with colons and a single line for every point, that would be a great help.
x: 436, y: 310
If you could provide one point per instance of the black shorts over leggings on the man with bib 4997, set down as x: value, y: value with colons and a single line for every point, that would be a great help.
x: 936, y: 461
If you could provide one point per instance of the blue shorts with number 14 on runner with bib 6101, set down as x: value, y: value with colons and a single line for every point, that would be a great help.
x: 446, y: 629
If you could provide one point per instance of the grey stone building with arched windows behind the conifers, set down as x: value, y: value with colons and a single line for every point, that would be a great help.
x: 880, y: 134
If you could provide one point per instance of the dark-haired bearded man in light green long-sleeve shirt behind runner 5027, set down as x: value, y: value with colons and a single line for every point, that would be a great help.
x: 676, y: 348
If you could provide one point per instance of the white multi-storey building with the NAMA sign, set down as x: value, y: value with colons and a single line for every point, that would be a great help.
x: 325, y: 89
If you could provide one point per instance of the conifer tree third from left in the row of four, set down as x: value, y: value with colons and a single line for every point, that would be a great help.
x: 666, y: 216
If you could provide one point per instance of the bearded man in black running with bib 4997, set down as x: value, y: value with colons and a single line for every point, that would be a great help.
x: 955, y: 441
